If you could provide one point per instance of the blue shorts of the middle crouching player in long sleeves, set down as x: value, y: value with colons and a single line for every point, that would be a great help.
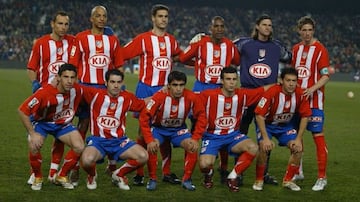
x: 175, y: 135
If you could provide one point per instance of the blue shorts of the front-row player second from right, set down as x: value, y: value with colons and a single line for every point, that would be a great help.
x: 212, y: 144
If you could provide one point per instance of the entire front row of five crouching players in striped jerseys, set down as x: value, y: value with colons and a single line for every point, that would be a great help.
x: 281, y: 112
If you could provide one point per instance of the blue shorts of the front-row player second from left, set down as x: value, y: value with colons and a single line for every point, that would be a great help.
x: 111, y: 147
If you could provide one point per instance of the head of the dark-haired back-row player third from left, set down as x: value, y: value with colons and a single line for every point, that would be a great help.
x: 160, y: 16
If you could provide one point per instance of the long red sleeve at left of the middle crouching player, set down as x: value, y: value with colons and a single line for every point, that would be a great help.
x: 146, y: 116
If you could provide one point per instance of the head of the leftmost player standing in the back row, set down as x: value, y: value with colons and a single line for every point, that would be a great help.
x: 60, y: 24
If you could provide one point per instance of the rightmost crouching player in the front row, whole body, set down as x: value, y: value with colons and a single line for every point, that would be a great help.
x: 277, y: 115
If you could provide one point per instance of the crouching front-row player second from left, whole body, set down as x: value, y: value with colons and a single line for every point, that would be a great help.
x: 107, y: 126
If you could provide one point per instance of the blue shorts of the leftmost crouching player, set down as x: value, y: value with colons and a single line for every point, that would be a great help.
x: 56, y: 130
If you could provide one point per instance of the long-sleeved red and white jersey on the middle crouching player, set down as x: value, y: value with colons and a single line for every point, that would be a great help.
x: 165, y: 111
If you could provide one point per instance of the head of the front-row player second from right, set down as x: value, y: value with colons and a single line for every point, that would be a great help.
x: 229, y: 79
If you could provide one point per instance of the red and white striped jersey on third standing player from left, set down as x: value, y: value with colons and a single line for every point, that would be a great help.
x: 155, y: 53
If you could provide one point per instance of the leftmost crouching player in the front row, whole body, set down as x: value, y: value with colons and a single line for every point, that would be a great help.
x: 50, y: 110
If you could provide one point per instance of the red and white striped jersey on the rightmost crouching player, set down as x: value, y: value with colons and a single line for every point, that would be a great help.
x: 278, y: 107
